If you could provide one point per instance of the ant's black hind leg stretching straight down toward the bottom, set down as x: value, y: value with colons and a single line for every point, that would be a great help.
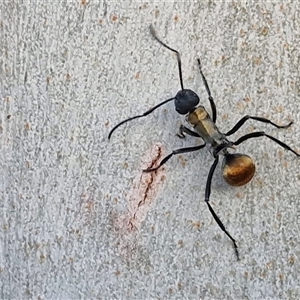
x: 207, y: 195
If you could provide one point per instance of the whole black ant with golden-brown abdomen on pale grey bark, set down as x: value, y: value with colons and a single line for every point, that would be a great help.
x: 238, y: 169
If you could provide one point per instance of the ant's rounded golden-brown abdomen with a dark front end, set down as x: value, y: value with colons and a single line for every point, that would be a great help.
x: 238, y: 169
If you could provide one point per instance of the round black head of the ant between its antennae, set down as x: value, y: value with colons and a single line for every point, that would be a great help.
x: 186, y: 101
